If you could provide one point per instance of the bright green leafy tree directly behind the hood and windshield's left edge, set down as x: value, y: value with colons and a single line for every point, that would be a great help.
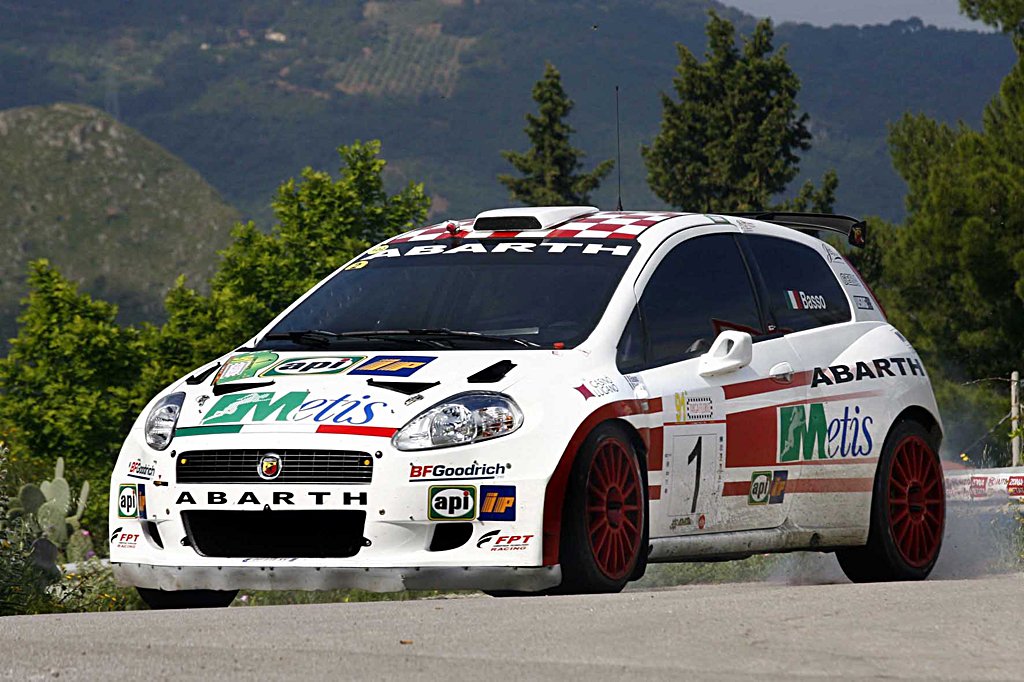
x: 322, y: 224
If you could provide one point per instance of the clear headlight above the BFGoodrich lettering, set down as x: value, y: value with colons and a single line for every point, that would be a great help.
x: 460, y: 420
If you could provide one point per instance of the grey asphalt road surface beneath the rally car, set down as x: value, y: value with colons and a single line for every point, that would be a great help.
x: 934, y: 630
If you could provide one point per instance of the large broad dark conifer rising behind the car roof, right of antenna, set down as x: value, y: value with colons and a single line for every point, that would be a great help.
x: 732, y: 141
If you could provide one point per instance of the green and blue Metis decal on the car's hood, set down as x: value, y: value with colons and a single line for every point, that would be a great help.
x: 292, y: 407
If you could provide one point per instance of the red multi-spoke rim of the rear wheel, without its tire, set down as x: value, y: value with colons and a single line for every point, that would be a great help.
x: 917, y: 502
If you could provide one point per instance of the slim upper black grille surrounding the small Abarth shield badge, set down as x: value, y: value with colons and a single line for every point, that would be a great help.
x: 297, y: 466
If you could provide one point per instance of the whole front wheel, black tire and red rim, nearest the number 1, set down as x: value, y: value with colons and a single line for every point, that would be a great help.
x: 586, y: 562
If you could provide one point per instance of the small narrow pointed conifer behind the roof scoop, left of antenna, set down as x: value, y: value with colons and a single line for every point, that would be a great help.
x: 550, y: 168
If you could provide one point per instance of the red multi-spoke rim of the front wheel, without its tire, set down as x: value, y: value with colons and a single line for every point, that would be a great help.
x: 615, y: 509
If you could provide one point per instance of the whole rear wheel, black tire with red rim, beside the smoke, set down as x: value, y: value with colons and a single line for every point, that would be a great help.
x: 908, y: 511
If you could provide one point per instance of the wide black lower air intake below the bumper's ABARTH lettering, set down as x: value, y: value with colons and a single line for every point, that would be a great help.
x: 276, y: 535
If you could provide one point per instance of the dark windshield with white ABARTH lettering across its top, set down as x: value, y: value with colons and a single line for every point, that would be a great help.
x: 549, y: 293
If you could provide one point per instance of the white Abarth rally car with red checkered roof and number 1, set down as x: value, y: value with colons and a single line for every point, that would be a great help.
x: 543, y: 400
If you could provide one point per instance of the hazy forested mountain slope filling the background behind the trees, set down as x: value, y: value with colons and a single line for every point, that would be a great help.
x: 250, y: 93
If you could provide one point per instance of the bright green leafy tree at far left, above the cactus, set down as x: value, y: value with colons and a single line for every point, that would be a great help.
x: 68, y: 386
